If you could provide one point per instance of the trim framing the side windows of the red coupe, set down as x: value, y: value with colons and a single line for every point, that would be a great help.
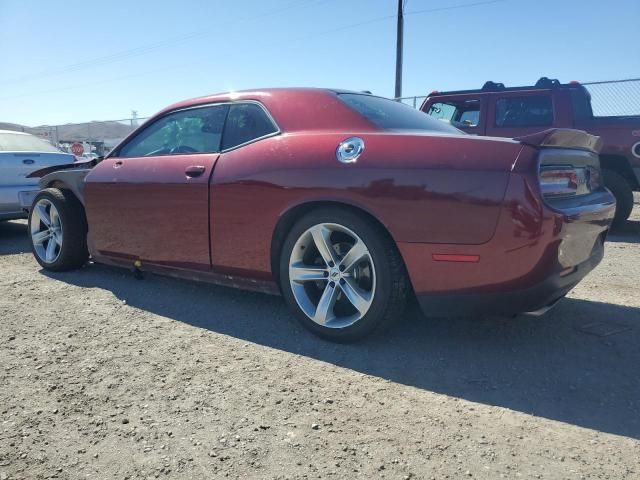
x: 116, y: 151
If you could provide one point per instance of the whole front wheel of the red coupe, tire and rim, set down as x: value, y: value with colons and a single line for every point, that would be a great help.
x: 58, y: 232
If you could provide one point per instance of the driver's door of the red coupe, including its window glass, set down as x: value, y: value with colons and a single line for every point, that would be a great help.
x: 149, y: 200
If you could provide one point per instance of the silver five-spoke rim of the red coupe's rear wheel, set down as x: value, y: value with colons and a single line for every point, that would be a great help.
x: 332, y: 275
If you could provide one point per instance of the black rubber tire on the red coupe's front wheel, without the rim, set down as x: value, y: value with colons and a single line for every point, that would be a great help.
x: 73, y: 253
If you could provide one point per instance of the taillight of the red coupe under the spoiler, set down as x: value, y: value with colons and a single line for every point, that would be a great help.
x: 568, y: 181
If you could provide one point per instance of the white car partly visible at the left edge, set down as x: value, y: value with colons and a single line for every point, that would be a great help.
x: 20, y: 155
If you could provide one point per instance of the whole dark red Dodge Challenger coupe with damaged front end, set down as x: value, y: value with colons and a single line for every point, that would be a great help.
x: 345, y: 203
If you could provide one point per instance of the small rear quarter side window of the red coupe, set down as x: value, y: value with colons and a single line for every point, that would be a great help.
x: 246, y: 122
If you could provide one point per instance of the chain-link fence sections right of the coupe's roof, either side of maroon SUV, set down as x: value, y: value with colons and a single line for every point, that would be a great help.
x: 611, y: 98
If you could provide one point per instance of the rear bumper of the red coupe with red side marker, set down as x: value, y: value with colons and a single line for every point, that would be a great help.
x: 539, y: 252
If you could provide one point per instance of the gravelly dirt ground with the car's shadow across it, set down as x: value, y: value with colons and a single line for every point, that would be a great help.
x: 106, y: 376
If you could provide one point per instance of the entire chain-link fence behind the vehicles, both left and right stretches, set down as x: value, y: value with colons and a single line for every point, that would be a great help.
x: 608, y: 98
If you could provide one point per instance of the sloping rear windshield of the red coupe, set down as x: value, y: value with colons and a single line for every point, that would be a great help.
x: 390, y: 115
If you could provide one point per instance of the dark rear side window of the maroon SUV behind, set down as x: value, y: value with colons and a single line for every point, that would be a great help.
x: 529, y: 111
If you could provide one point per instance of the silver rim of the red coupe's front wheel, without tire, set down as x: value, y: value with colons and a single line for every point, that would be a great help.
x: 46, y: 231
